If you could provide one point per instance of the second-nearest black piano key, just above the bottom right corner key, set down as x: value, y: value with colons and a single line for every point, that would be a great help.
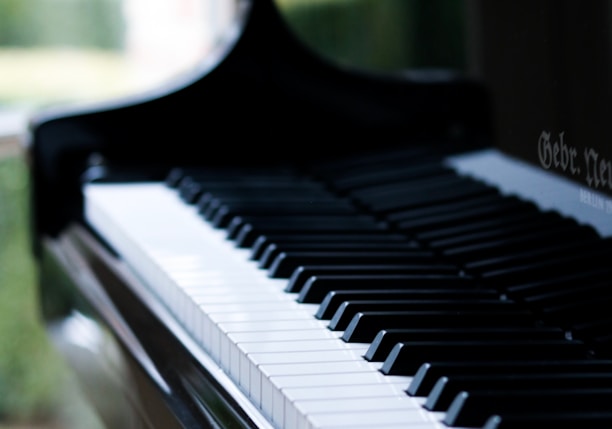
x: 474, y: 408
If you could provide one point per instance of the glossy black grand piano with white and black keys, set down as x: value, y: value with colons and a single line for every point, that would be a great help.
x: 283, y: 242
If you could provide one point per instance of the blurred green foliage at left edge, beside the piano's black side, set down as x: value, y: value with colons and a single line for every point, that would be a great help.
x: 31, y: 373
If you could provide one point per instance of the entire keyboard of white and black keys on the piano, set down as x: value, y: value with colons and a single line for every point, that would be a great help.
x: 383, y: 292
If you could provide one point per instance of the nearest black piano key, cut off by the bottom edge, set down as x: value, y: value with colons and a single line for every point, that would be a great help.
x: 558, y: 419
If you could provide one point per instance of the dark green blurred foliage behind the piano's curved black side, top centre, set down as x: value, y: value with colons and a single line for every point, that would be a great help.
x: 383, y: 35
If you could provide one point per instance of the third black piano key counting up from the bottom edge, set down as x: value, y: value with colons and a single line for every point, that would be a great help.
x: 447, y: 388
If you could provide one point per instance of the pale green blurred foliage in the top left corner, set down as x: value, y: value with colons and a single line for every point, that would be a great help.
x: 80, y: 23
